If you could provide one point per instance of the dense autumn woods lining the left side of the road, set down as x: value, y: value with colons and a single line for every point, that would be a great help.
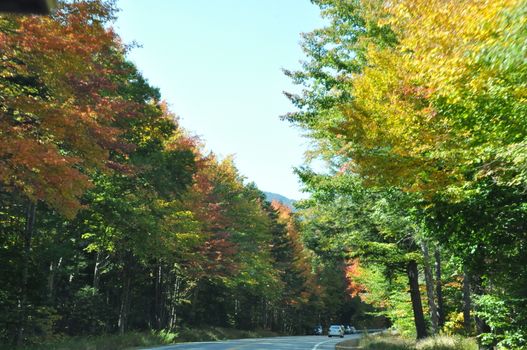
x: 112, y: 216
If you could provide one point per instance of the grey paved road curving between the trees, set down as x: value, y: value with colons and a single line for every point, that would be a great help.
x: 312, y: 342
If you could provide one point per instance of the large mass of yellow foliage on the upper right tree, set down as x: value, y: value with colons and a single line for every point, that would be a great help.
x: 399, y: 135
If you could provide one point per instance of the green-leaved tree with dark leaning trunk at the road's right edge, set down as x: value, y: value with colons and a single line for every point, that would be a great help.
x: 348, y: 221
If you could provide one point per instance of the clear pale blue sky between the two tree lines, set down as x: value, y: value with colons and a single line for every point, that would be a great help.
x: 218, y: 64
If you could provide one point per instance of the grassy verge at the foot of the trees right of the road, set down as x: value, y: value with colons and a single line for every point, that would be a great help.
x: 390, y: 342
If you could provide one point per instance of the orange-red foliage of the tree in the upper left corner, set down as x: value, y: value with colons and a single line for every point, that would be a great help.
x: 59, y: 111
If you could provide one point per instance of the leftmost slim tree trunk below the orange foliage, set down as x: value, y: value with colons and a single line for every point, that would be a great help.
x: 22, y: 301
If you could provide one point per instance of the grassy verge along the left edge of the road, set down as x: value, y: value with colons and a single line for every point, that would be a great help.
x: 135, y: 340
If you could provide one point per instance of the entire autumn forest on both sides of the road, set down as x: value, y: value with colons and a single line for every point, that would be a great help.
x: 114, y: 218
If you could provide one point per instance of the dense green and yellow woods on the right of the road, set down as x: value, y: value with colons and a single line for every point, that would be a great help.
x: 419, y: 109
